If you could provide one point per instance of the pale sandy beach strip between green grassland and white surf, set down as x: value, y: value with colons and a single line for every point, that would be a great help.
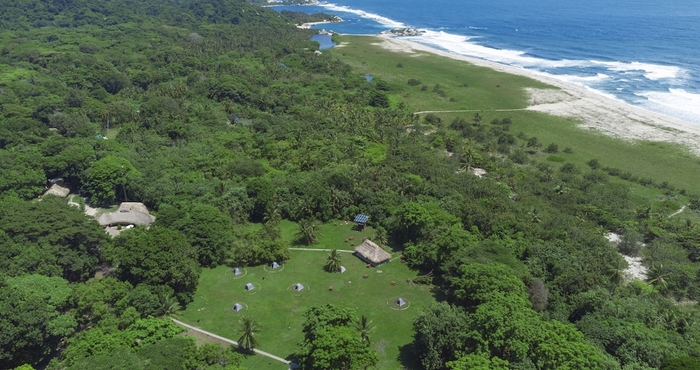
x: 594, y: 111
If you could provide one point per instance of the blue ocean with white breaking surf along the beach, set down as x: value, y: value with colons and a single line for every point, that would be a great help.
x: 642, y: 52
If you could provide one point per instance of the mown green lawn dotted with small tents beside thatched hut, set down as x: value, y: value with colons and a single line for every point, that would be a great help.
x: 279, y: 308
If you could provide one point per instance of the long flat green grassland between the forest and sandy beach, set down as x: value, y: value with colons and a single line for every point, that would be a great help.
x: 488, y: 90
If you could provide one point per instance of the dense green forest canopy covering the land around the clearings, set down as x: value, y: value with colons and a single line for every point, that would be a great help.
x: 217, y: 114
